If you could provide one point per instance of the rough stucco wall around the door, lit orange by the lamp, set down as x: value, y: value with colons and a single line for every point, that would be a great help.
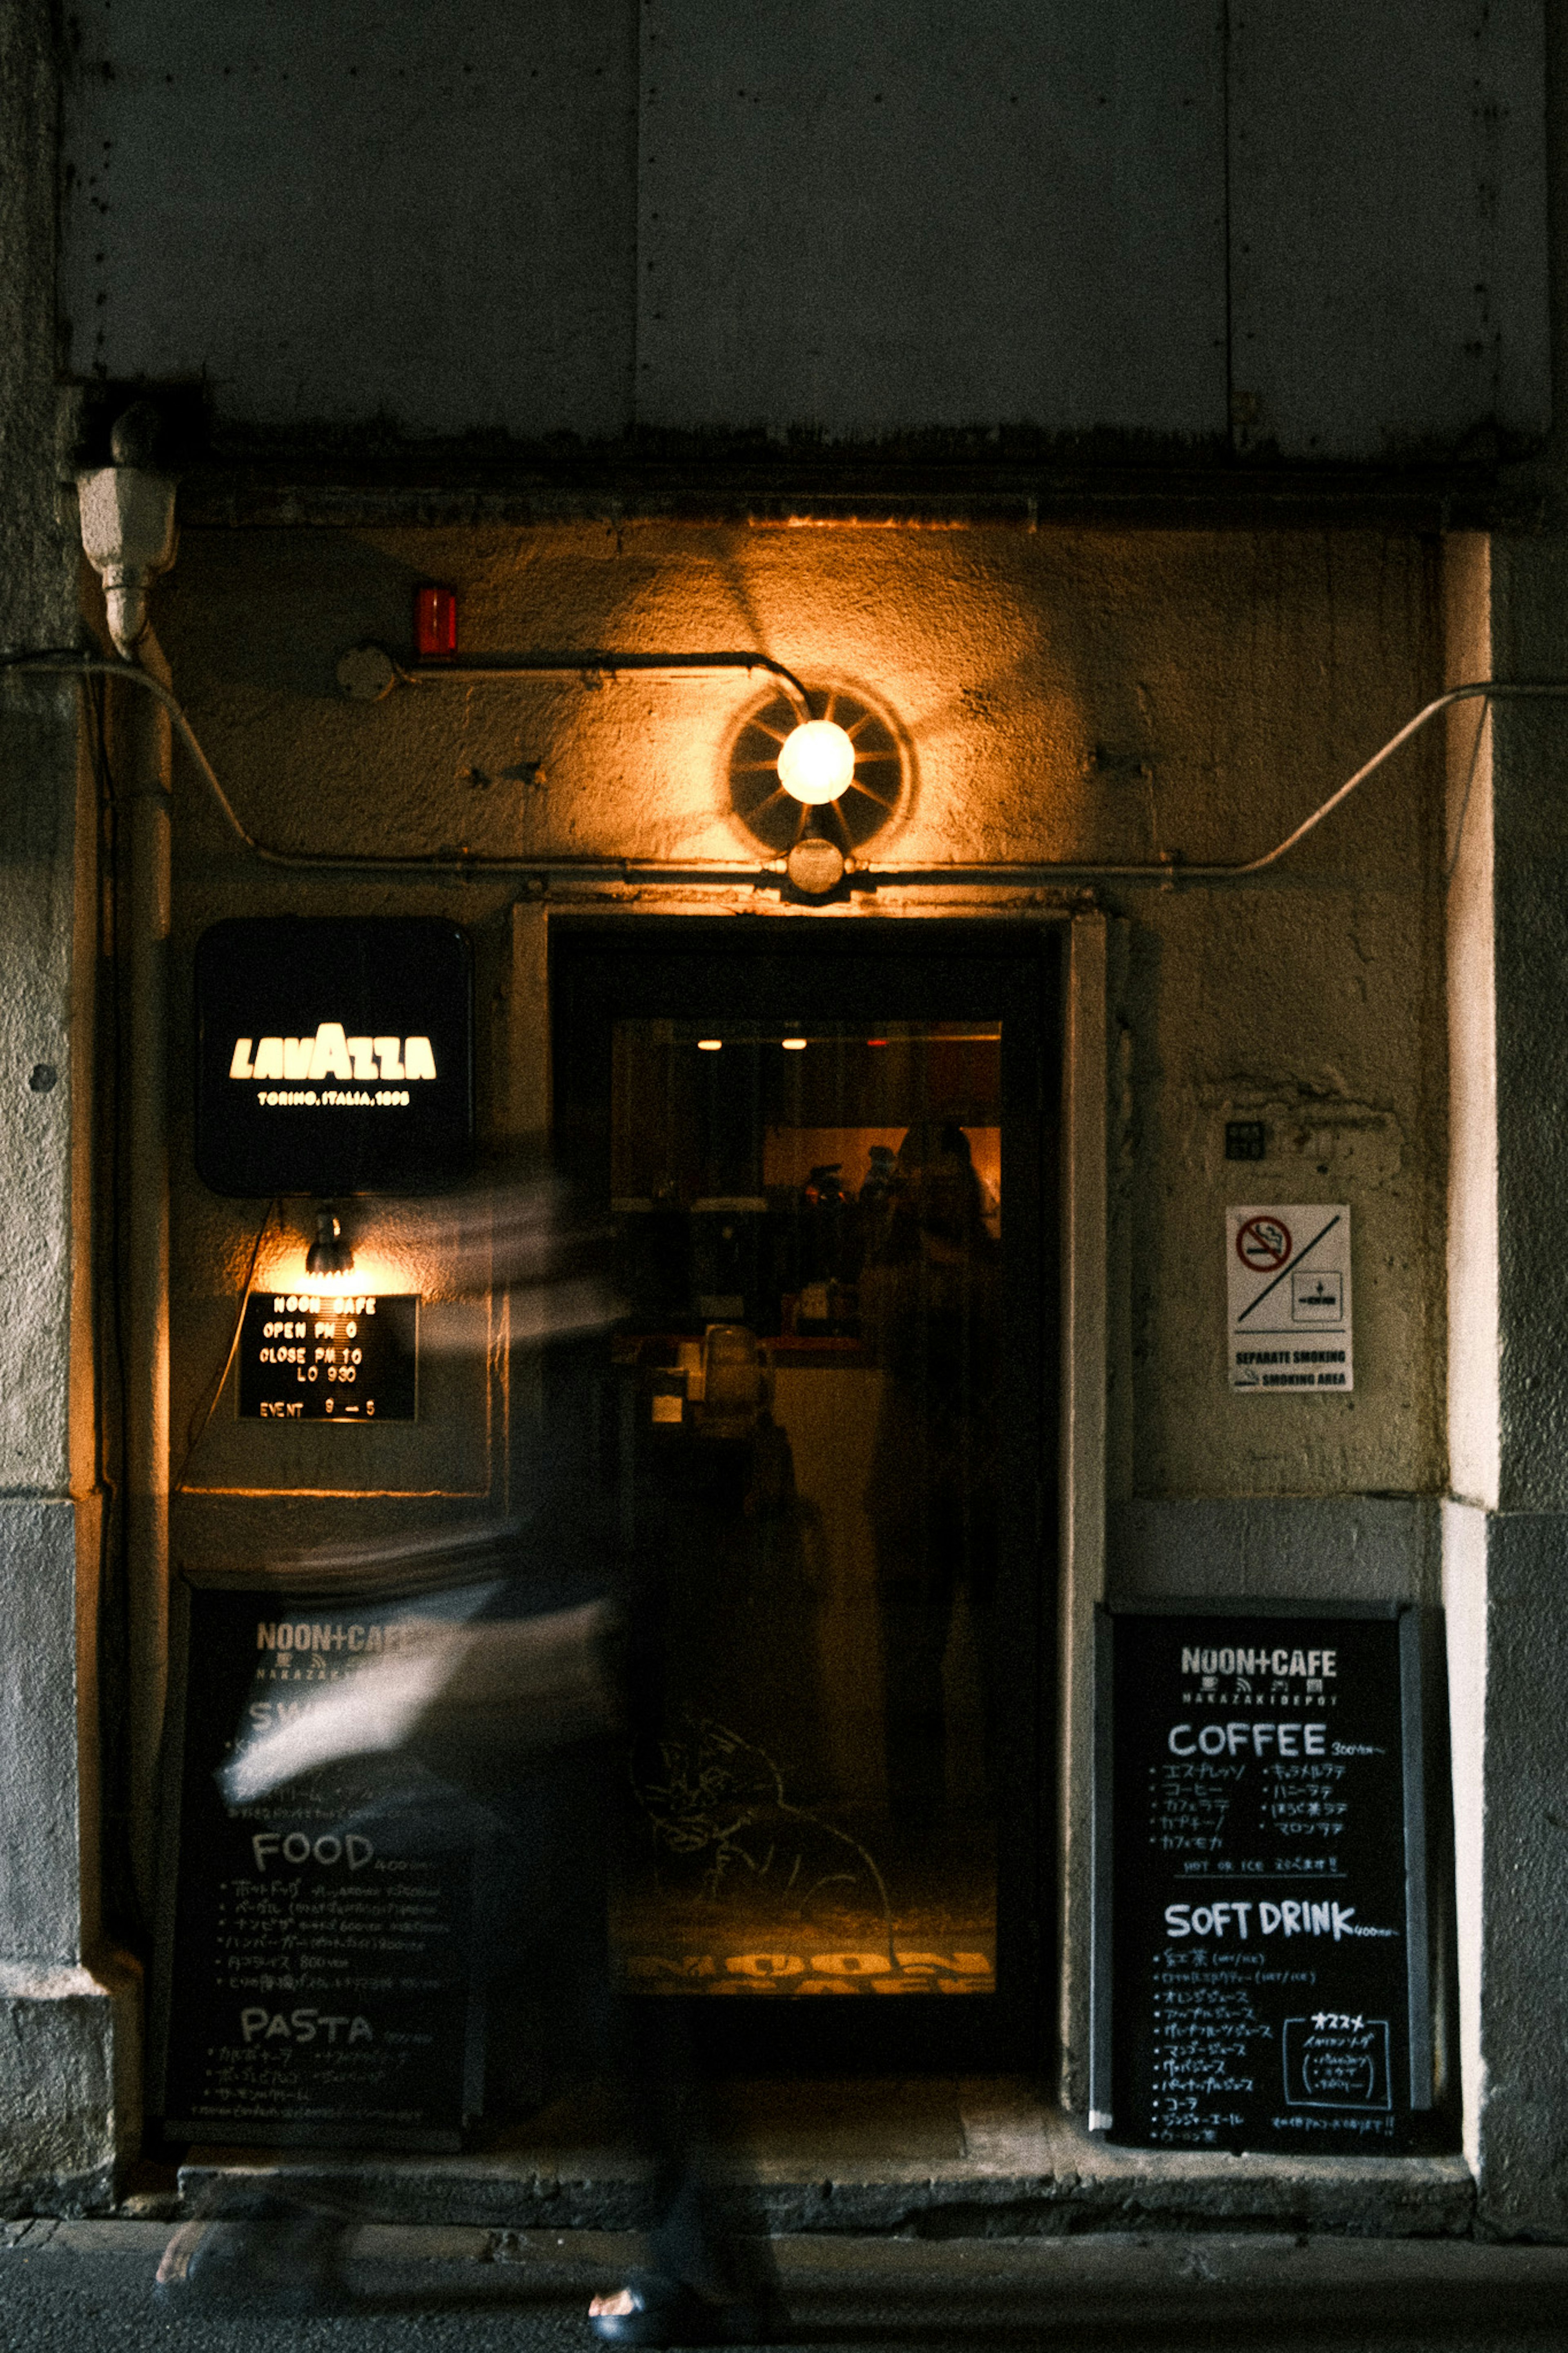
x: 1064, y: 695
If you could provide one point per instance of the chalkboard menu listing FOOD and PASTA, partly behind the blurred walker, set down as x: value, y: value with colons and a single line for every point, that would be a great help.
x: 314, y: 1954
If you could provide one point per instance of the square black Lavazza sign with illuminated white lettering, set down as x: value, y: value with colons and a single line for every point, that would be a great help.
x: 333, y: 1058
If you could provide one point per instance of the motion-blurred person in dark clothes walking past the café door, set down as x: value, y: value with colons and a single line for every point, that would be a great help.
x: 507, y: 1726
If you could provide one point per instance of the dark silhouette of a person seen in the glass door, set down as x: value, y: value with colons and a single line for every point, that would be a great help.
x: 932, y: 1312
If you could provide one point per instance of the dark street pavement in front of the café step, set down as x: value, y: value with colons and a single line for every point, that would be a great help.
x: 88, y: 2288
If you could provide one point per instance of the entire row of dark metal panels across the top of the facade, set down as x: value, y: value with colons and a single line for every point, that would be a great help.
x: 843, y: 215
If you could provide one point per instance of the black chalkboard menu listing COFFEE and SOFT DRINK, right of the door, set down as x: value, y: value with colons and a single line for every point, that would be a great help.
x: 1261, y: 1881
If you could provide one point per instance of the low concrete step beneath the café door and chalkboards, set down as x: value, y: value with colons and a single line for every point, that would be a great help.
x: 930, y: 2157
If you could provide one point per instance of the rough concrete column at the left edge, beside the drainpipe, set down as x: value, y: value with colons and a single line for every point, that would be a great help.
x: 67, y: 2018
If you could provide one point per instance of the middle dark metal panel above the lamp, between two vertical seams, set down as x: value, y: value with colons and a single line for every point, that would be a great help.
x: 932, y: 215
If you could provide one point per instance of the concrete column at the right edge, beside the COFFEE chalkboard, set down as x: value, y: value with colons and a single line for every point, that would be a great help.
x: 1506, y: 1533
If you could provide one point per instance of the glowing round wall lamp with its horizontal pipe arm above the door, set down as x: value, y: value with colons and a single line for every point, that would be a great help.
x: 812, y: 775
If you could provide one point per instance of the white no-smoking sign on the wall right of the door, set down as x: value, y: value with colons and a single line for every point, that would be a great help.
x: 1287, y: 1279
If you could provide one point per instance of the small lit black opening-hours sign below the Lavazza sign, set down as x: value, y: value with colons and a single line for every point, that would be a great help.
x: 309, y: 1357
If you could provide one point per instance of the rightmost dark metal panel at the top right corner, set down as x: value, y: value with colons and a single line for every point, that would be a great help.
x: 1388, y: 225
